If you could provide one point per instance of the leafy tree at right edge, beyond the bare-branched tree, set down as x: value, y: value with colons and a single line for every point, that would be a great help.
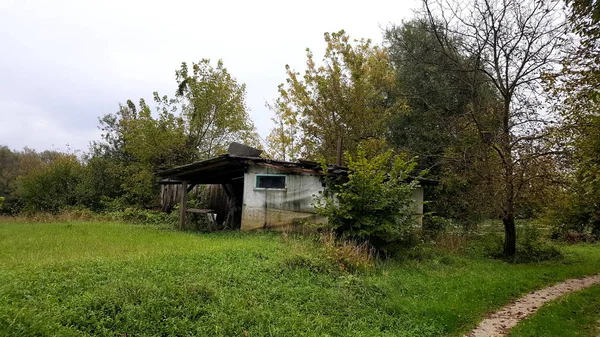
x: 575, y: 89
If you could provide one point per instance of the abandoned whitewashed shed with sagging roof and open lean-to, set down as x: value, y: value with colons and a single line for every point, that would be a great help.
x: 249, y: 192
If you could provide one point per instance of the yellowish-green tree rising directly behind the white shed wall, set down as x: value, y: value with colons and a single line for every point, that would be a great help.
x: 347, y: 98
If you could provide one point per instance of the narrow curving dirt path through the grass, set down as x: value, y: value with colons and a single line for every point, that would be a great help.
x: 499, y: 323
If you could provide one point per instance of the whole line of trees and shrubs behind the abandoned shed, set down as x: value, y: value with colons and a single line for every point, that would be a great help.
x: 496, y: 100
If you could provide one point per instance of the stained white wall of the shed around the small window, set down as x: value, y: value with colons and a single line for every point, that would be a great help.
x: 279, y: 209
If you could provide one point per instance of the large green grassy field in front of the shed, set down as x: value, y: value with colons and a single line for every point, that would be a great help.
x: 113, y: 279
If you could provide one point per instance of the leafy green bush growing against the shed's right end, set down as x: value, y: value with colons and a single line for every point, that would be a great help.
x: 374, y: 204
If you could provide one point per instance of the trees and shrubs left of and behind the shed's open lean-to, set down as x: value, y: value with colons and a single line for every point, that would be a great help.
x: 118, y: 172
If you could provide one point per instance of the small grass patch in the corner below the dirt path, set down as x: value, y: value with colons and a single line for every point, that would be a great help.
x: 576, y: 314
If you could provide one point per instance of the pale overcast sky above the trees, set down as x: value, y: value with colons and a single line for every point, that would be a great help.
x: 64, y: 63
